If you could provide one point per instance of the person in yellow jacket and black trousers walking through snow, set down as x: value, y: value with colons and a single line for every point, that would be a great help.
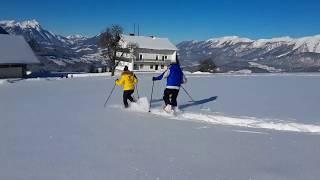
x: 128, y: 80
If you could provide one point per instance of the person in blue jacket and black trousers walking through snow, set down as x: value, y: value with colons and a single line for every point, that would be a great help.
x: 175, y: 78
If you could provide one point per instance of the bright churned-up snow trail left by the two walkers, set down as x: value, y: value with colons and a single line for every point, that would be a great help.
x: 219, y: 119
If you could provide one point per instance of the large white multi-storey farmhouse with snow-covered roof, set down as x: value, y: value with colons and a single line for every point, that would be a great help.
x: 146, y: 53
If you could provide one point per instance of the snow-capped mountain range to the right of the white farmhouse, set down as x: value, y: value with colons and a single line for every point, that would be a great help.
x: 235, y: 53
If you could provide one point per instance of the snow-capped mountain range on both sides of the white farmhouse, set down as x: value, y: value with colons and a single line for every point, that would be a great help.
x: 230, y: 53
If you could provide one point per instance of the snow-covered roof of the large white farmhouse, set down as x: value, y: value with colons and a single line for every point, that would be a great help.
x: 150, y: 42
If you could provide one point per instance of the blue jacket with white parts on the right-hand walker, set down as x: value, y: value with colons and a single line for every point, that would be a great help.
x: 174, y: 75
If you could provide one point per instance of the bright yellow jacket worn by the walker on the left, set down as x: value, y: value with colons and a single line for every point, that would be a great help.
x: 127, y: 80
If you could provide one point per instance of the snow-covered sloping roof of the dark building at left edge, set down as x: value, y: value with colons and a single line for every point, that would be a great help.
x: 15, y: 50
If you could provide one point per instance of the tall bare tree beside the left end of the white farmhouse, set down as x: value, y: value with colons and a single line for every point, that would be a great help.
x: 109, y: 42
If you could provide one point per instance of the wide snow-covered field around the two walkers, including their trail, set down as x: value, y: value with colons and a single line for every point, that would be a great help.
x: 239, y: 127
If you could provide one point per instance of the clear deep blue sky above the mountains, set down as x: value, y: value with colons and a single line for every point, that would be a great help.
x: 176, y: 19
